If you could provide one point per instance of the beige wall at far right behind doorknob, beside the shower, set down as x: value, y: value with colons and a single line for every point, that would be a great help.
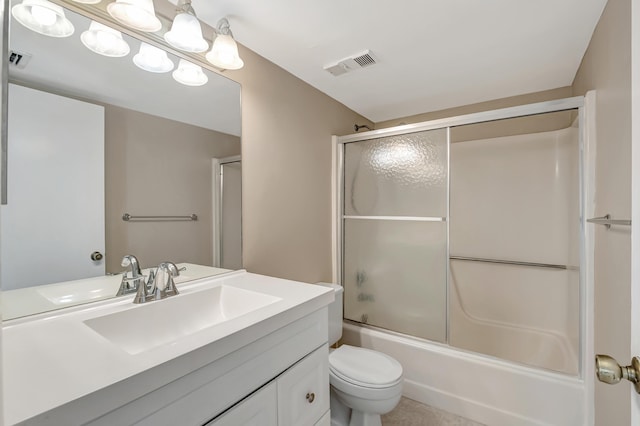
x: 606, y: 67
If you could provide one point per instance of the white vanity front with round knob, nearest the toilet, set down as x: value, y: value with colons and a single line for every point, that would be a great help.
x: 303, y: 390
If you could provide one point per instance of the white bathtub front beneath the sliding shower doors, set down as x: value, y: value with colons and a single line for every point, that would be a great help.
x: 480, y: 388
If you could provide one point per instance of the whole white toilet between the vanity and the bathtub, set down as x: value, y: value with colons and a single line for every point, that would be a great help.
x: 364, y: 383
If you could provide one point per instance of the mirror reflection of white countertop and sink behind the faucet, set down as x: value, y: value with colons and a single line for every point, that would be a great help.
x: 34, y: 300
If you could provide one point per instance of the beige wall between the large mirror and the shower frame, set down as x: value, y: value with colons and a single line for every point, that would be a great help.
x: 286, y: 182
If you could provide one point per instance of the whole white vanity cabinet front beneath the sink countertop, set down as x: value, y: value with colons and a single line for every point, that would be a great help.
x: 294, y: 358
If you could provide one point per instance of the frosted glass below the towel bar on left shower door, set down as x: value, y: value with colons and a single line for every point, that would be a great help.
x: 395, y: 275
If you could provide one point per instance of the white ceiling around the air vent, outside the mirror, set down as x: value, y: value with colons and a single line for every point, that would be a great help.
x: 432, y: 54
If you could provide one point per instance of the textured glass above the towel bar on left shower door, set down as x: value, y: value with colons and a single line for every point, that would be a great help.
x: 403, y: 175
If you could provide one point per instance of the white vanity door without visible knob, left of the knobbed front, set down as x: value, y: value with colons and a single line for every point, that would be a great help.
x: 258, y: 409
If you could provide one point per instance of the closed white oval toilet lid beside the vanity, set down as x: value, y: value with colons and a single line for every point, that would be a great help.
x: 364, y: 367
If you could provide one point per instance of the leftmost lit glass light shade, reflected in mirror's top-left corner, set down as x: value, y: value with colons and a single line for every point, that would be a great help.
x: 43, y: 17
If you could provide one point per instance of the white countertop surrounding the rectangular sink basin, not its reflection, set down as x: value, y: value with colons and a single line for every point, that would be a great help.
x: 53, y: 359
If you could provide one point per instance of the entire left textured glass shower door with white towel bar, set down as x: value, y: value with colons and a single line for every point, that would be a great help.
x: 395, y: 210
